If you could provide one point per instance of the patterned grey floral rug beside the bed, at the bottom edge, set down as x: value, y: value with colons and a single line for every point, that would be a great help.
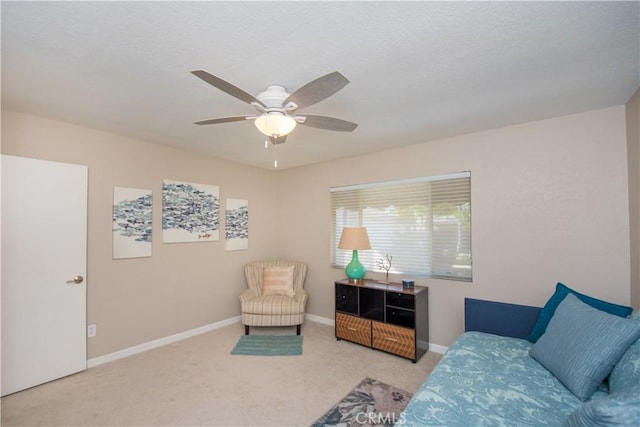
x: 371, y: 403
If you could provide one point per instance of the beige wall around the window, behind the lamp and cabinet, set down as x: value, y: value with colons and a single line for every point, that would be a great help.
x: 549, y: 204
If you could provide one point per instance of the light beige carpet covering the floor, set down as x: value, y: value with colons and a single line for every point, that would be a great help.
x: 197, y: 382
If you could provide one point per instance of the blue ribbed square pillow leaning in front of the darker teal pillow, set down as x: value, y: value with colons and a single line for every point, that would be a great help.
x: 582, y: 344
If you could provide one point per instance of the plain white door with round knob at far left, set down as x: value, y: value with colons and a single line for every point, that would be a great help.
x: 44, y: 238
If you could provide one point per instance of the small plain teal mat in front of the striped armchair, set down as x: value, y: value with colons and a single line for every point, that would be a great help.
x: 269, y: 345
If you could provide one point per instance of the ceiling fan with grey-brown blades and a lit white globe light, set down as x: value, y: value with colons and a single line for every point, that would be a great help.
x: 278, y: 109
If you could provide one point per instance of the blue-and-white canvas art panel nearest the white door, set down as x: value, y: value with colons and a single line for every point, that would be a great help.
x: 132, y: 222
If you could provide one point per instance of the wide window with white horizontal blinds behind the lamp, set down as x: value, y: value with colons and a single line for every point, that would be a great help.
x: 423, y: 223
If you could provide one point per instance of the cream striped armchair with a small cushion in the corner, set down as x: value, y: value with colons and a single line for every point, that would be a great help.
x: 280, y: 300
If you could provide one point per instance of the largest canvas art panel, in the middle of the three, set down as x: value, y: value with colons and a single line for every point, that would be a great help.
x: 190, y: 212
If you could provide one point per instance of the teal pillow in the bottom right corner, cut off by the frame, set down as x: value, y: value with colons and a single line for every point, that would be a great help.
x: 618, y: 409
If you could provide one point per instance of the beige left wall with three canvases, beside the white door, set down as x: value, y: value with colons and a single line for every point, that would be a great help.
x: 182, y: 286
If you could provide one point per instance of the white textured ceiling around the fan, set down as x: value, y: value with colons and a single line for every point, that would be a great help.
x: 418, y: 70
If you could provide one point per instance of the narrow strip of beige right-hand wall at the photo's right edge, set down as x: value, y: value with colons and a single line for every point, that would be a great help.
x: 633, y: 150
